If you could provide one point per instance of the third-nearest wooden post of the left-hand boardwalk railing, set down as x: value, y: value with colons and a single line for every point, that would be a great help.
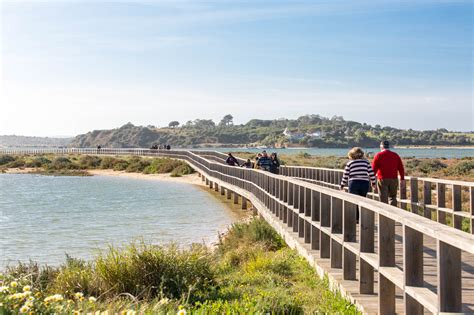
x: 386, y: 245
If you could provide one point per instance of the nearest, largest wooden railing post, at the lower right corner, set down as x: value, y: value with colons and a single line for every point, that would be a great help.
x: 449, y: 278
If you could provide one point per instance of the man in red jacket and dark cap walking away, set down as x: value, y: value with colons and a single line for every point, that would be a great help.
x: 387, y: 165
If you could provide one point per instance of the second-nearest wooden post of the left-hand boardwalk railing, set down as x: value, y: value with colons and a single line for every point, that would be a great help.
x: 412, y: 266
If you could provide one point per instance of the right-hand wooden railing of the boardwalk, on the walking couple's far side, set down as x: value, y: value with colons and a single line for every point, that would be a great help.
x: 445, y: 201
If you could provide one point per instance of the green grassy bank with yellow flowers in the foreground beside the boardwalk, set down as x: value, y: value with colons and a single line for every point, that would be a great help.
x: 250, y: 271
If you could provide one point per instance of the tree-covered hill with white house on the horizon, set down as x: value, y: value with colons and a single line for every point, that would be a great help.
x: 309, y: 130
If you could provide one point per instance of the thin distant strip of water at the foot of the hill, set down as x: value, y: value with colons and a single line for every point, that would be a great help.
x: 409, y: 152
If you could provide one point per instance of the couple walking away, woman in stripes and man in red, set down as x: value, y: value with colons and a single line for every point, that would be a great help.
x: 382, y: 173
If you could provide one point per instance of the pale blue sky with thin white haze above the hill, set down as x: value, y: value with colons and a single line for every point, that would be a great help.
x: 69, y: 67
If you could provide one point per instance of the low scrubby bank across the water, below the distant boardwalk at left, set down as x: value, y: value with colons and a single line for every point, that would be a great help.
x: 77, y: 165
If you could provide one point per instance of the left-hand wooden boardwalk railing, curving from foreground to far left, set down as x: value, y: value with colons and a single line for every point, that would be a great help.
x: 390, y: 261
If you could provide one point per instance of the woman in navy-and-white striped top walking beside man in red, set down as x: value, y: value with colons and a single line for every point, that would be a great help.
x: 358, y: 173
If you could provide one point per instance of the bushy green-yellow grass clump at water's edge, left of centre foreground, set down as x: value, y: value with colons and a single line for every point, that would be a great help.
x: 148, y: 271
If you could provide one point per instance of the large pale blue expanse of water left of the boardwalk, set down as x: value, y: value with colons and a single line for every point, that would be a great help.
x: 44, y: 217
